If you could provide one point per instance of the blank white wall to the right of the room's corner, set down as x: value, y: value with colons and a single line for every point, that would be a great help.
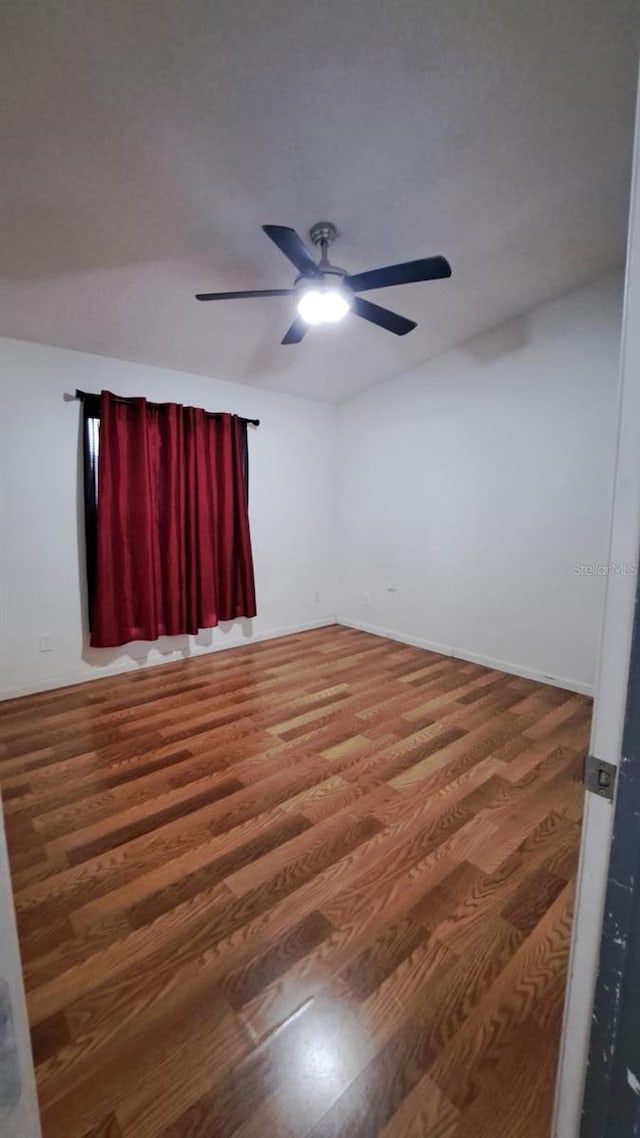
x: 472, y: 485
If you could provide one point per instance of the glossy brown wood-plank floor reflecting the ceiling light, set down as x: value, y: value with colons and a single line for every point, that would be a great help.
x: 311, y: 888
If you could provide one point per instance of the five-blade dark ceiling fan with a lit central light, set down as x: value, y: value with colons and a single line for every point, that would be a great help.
x: 326, y: 294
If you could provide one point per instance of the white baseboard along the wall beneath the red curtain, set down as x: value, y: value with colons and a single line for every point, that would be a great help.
x: 133, y: 664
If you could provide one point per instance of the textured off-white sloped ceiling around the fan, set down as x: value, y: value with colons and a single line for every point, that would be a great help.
x: 145, y: 142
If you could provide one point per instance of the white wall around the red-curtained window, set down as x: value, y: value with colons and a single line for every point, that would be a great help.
x: 292, y: 507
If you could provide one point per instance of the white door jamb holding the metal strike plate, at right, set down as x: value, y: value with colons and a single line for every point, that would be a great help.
x: 609, y: 727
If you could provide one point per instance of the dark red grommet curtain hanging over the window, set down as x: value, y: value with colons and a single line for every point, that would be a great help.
x: 174, y: 548
